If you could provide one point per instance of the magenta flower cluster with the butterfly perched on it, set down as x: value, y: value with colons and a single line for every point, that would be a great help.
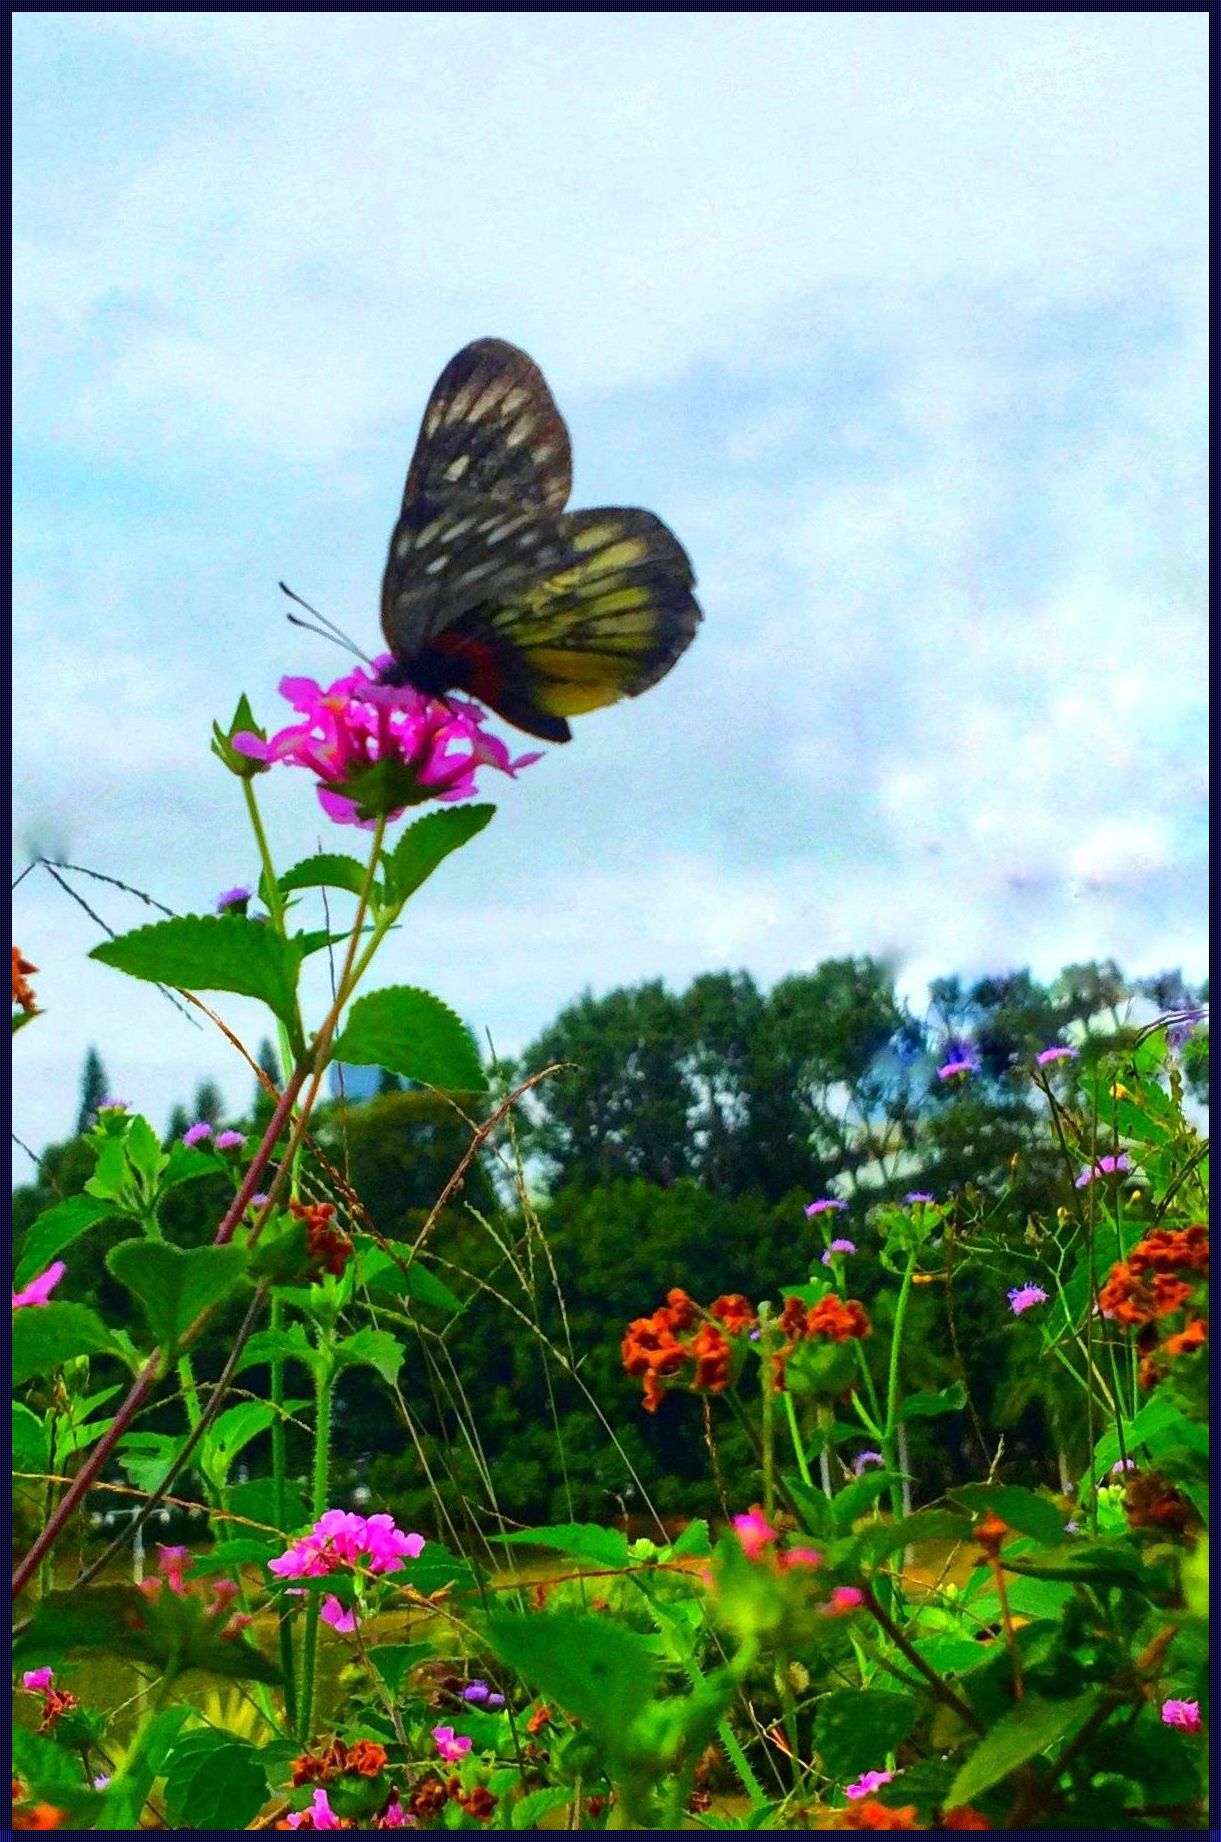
x: 424, y: 749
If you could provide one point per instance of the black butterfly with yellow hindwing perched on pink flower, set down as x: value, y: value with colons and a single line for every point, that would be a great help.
x: 494, y: 590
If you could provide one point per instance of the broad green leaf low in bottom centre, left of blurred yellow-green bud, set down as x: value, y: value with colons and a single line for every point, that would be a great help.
x: 590, y: 1668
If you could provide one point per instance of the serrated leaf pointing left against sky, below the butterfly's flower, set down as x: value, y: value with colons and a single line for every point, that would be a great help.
x: 211, y: 953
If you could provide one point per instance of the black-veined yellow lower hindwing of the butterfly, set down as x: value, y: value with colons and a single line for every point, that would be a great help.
x: 609, y: 622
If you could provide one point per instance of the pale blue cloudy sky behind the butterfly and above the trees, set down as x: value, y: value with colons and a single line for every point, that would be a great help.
x: 898, y: 320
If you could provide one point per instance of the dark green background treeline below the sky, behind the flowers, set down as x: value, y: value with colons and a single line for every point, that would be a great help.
x: 677, y: 1147
